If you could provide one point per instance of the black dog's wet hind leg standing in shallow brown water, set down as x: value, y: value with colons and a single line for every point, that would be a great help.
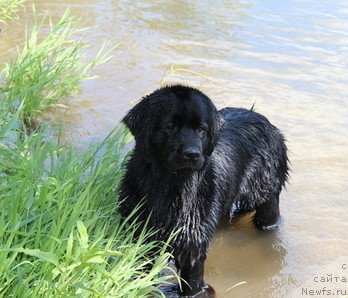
x: 267, y: 213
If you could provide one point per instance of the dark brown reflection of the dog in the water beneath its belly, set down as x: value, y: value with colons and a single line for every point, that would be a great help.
x: 245, y: 250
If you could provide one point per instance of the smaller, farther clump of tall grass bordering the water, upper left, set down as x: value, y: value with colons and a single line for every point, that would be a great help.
x: 47, y: 68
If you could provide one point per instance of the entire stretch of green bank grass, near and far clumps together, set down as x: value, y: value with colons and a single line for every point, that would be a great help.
x: 60, y: 233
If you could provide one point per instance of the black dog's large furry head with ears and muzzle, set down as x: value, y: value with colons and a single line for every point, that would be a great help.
x: 175, y: 126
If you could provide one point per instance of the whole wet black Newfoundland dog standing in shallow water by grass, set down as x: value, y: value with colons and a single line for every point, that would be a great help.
x: 194, y: 165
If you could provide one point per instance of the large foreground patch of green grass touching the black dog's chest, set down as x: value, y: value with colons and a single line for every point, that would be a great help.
x: 60, y: 233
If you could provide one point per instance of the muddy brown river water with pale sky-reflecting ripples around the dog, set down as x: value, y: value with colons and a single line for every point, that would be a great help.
x: 290, y: 58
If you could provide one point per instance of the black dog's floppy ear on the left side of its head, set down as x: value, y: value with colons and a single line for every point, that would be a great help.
x: 136, y: 118
